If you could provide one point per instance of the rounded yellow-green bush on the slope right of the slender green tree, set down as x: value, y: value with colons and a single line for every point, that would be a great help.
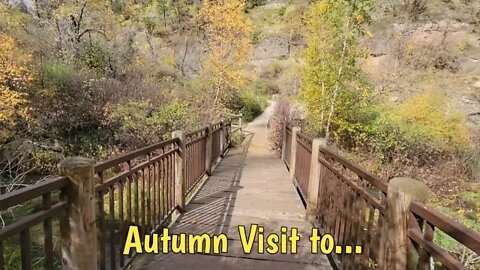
x: 422, y: 129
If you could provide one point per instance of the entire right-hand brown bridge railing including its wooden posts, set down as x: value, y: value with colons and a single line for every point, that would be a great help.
x: 360, y: 209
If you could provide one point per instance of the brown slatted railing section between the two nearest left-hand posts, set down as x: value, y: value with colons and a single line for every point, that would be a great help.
x: 129, y: 192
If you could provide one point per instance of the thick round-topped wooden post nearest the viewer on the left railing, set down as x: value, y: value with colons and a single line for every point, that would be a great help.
x: 79, y: 247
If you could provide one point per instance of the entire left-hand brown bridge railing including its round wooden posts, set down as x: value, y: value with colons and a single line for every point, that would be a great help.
x: 89, y: 209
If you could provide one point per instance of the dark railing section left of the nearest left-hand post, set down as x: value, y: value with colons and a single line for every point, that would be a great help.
x: 49, y: 197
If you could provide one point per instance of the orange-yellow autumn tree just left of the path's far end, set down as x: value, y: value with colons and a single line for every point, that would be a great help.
x: 228, y: 38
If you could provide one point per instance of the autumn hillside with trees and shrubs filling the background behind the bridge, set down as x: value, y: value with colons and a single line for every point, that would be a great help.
x: 392, y: 85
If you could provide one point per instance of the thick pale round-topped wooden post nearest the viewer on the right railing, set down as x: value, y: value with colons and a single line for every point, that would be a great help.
x: 402, y: 192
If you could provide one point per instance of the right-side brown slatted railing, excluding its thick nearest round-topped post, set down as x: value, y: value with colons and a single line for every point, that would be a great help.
x: 351, y: 205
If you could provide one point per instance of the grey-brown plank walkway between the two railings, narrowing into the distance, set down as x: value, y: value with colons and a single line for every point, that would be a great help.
x: 250, y: 186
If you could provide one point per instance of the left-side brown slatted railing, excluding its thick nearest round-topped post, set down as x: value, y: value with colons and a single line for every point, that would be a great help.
x: 140, y: 187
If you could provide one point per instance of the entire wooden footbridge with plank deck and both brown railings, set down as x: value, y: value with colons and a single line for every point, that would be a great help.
x: 196, y: 184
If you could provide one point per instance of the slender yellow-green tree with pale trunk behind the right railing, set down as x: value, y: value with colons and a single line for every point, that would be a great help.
x: 332, y: 88
